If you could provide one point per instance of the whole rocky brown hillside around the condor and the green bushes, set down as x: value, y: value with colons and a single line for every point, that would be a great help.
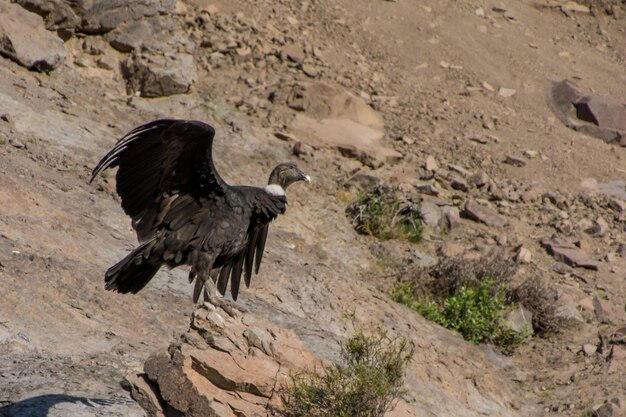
x: 451, y: 103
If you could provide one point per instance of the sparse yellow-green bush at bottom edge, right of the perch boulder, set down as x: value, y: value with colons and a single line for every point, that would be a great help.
x: 366, y: 383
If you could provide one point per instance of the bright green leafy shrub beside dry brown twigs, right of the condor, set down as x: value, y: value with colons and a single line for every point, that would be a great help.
x: 477, y: 312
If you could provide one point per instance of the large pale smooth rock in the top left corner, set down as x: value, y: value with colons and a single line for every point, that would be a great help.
x: 24, y: 39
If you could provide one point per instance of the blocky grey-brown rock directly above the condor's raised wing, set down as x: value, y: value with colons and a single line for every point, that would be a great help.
x: 156, y: 75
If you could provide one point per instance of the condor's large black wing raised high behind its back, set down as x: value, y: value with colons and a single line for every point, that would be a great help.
x: 160, y: 162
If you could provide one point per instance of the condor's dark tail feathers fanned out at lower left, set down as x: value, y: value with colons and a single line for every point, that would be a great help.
x: 133, y: 272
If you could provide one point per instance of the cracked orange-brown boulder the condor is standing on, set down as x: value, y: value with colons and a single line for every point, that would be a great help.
x: 228, y: 364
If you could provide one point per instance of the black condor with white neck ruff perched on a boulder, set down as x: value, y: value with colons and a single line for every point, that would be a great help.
x: 184, y: 213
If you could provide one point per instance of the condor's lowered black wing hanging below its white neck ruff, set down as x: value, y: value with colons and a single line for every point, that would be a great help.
x: 265, y: 208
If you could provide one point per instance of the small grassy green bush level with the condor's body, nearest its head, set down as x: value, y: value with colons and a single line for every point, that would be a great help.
x: 381, y: 212
